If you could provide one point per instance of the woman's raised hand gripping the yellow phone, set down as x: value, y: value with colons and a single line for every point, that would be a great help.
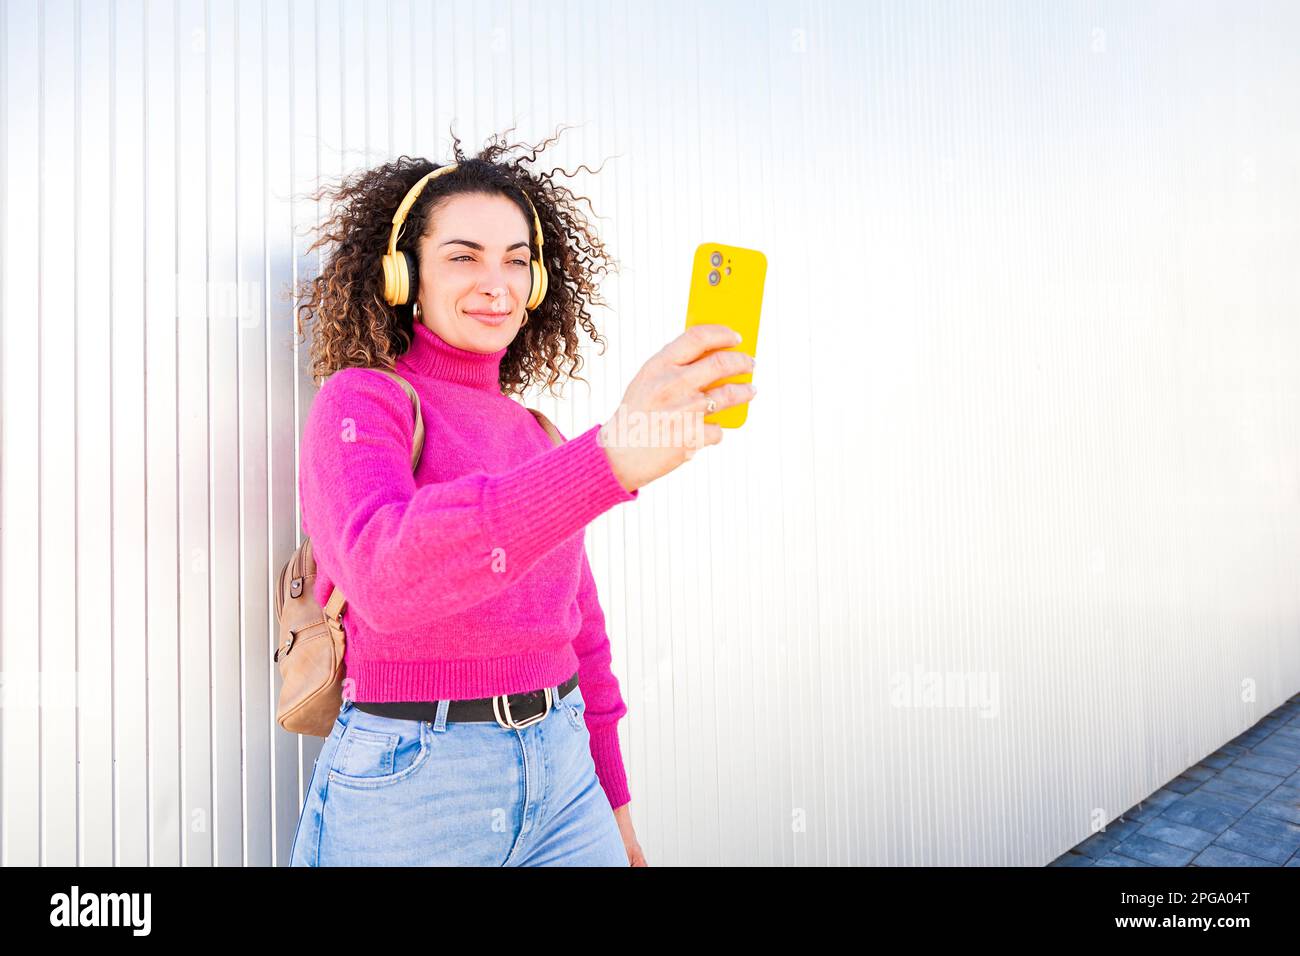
x: 660, y: 423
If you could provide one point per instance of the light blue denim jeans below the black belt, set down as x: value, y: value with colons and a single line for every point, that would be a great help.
x: 395, y: 793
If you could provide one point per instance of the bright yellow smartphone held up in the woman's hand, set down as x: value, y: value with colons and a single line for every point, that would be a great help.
x: 727, y: 289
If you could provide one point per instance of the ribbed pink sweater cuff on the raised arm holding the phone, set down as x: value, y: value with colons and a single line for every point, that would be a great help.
x: 532, y: 509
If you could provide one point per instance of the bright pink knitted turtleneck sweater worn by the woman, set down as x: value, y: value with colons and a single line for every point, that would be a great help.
x: 469, y: 578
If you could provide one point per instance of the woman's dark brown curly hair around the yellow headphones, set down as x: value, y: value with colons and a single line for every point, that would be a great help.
x: 354, y: 326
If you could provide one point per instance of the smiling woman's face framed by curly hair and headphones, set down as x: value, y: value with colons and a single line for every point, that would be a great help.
x: 475, y: 259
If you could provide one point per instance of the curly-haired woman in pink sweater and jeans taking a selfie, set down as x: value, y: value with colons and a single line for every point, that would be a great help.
x: 479, y: 723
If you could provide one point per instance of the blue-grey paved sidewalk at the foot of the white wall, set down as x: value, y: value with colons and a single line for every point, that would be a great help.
x: 1240, y: 807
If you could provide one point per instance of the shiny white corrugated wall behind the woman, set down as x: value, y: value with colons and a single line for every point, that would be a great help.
x: 1012, y: 535
